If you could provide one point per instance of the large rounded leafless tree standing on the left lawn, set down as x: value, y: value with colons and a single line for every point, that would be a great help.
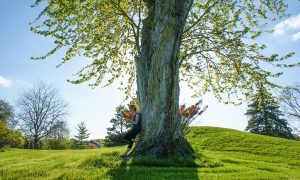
x: 41, y: 111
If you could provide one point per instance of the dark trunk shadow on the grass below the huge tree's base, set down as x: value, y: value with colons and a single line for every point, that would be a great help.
x: 155, y: 169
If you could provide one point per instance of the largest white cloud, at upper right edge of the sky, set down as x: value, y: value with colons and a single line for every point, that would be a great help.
x: 292, y: 23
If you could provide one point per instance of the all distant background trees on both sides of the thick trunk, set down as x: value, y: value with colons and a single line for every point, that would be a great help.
x: 40, y: 122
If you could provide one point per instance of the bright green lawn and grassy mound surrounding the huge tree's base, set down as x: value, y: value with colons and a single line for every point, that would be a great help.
x: 222, y: 154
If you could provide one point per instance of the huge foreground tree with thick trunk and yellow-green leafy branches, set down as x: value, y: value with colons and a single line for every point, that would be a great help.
x: 209, y: 44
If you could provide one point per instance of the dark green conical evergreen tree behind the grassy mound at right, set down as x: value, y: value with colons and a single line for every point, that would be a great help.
x: 265, y: 116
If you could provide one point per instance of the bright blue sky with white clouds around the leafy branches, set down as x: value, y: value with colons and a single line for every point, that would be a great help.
x: 96, y: 106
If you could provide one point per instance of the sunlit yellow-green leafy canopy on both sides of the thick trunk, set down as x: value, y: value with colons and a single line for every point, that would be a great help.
x: 218, y: 52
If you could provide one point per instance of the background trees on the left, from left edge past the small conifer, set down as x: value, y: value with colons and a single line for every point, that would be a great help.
x: 40, y: 122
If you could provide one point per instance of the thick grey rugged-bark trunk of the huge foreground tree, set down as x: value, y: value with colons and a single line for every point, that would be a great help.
x: 157, y: 80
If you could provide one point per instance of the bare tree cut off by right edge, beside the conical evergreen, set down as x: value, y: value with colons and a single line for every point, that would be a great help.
x: 291, y: 103
